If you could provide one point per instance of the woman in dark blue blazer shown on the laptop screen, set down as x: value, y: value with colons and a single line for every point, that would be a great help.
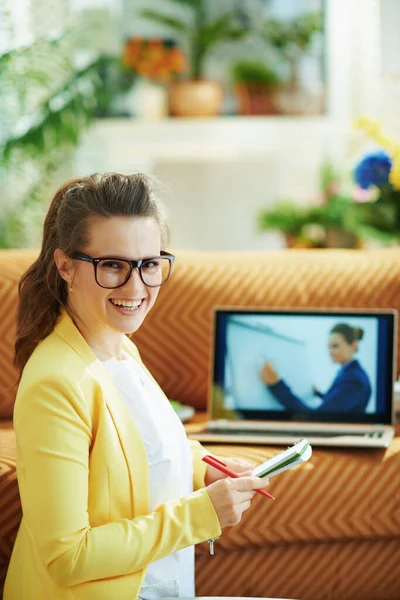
x: 350, y: 390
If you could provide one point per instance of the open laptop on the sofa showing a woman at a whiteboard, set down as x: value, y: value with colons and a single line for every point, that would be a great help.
x: 278, y: 376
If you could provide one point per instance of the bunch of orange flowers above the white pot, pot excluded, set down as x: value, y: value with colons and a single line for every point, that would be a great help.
x: 155, y: 59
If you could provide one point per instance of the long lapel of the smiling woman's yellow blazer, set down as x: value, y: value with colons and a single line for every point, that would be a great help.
x: 130, y: 439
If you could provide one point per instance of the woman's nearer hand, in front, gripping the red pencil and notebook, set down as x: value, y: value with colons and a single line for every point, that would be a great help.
x: 231, y: 497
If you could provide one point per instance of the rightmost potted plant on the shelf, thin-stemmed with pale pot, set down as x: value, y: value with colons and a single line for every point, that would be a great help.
x: 292, y: 39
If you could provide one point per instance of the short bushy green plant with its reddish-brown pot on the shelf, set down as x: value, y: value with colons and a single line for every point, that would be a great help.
x: 254, y: 87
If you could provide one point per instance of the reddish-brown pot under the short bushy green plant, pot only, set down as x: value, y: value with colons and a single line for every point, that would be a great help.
x: 255, y: 99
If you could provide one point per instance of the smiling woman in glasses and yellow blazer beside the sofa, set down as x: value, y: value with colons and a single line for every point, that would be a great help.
x: 105, y: 471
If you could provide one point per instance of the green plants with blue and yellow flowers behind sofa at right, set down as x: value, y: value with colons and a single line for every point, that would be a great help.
x: 368, y: 208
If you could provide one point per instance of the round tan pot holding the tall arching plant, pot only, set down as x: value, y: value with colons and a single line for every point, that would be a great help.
x: 195, y: 98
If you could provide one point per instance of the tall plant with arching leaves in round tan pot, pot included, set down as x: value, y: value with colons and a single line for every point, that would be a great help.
x: 197, y: 96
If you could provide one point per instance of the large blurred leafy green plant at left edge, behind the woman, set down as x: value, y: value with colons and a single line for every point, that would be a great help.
x: 49, y: 90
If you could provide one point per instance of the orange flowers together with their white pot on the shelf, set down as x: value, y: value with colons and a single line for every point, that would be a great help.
x: 156, y: 63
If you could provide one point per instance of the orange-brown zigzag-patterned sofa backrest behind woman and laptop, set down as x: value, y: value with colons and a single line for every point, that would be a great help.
x: 175, y: 339
